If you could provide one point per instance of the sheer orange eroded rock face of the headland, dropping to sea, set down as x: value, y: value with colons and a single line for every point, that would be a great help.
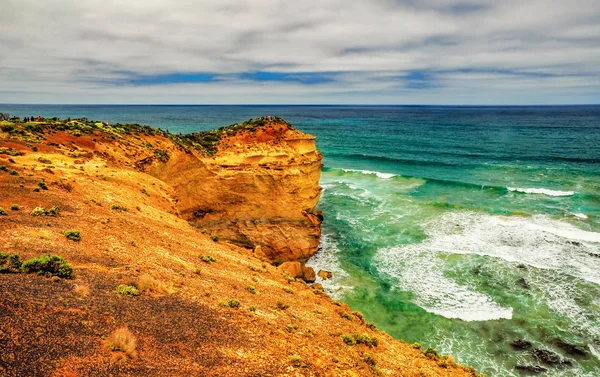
x: 260, y: 187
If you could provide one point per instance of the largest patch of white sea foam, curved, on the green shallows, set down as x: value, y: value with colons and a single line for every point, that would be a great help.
x: 538, y: 241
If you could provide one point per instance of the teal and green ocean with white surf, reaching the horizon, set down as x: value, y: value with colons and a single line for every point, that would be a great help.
x: 460, y: 228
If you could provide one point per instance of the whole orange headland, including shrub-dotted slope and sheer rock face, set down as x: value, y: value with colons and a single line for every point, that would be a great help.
x: 134, y: 289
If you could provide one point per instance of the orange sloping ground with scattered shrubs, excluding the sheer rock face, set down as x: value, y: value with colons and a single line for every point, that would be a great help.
x: 131, y: 227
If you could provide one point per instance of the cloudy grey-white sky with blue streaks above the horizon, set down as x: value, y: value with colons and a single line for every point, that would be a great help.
x: 300, y: 52
